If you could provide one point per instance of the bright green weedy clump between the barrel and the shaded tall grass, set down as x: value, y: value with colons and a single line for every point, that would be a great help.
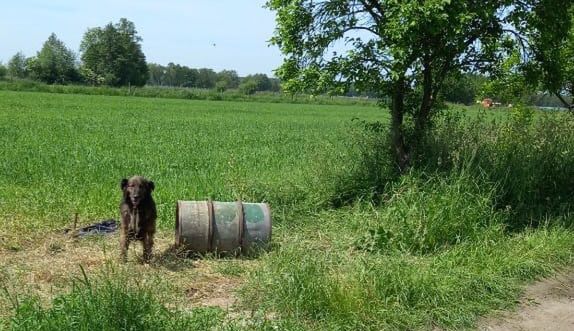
x: 423, y: 216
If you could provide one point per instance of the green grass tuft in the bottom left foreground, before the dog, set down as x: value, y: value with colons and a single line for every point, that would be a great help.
x: 112, y: 301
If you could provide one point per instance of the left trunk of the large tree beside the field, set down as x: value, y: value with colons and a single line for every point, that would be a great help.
x: 397, y: 132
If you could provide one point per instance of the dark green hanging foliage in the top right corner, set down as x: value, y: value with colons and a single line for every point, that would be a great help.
x: 541, y: 55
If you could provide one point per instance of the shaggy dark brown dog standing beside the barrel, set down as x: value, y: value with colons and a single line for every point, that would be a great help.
x: 138, y: 214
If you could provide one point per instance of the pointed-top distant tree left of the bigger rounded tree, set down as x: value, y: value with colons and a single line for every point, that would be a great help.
x: 54, y: 63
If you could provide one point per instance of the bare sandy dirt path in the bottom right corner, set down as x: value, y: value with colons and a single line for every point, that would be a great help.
x: 546, y: 305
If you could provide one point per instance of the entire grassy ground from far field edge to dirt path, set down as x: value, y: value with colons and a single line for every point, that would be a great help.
x: 488, y: 209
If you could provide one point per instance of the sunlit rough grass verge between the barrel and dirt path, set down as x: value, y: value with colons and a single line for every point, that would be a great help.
x: 412, y: 264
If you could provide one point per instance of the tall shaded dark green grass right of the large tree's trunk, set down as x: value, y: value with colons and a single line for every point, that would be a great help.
x: 530, y: 156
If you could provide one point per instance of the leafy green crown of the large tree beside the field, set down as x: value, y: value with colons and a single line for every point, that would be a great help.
x: 389, y: 38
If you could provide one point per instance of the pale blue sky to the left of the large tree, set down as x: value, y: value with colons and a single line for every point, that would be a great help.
x: 215, y: 34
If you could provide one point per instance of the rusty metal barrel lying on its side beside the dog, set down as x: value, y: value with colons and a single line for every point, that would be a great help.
x: 212, y: 226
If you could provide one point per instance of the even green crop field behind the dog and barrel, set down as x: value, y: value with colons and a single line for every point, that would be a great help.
x: 65, y: 154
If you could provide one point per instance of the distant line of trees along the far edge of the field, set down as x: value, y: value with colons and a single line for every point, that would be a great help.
x: 112, y: 56
